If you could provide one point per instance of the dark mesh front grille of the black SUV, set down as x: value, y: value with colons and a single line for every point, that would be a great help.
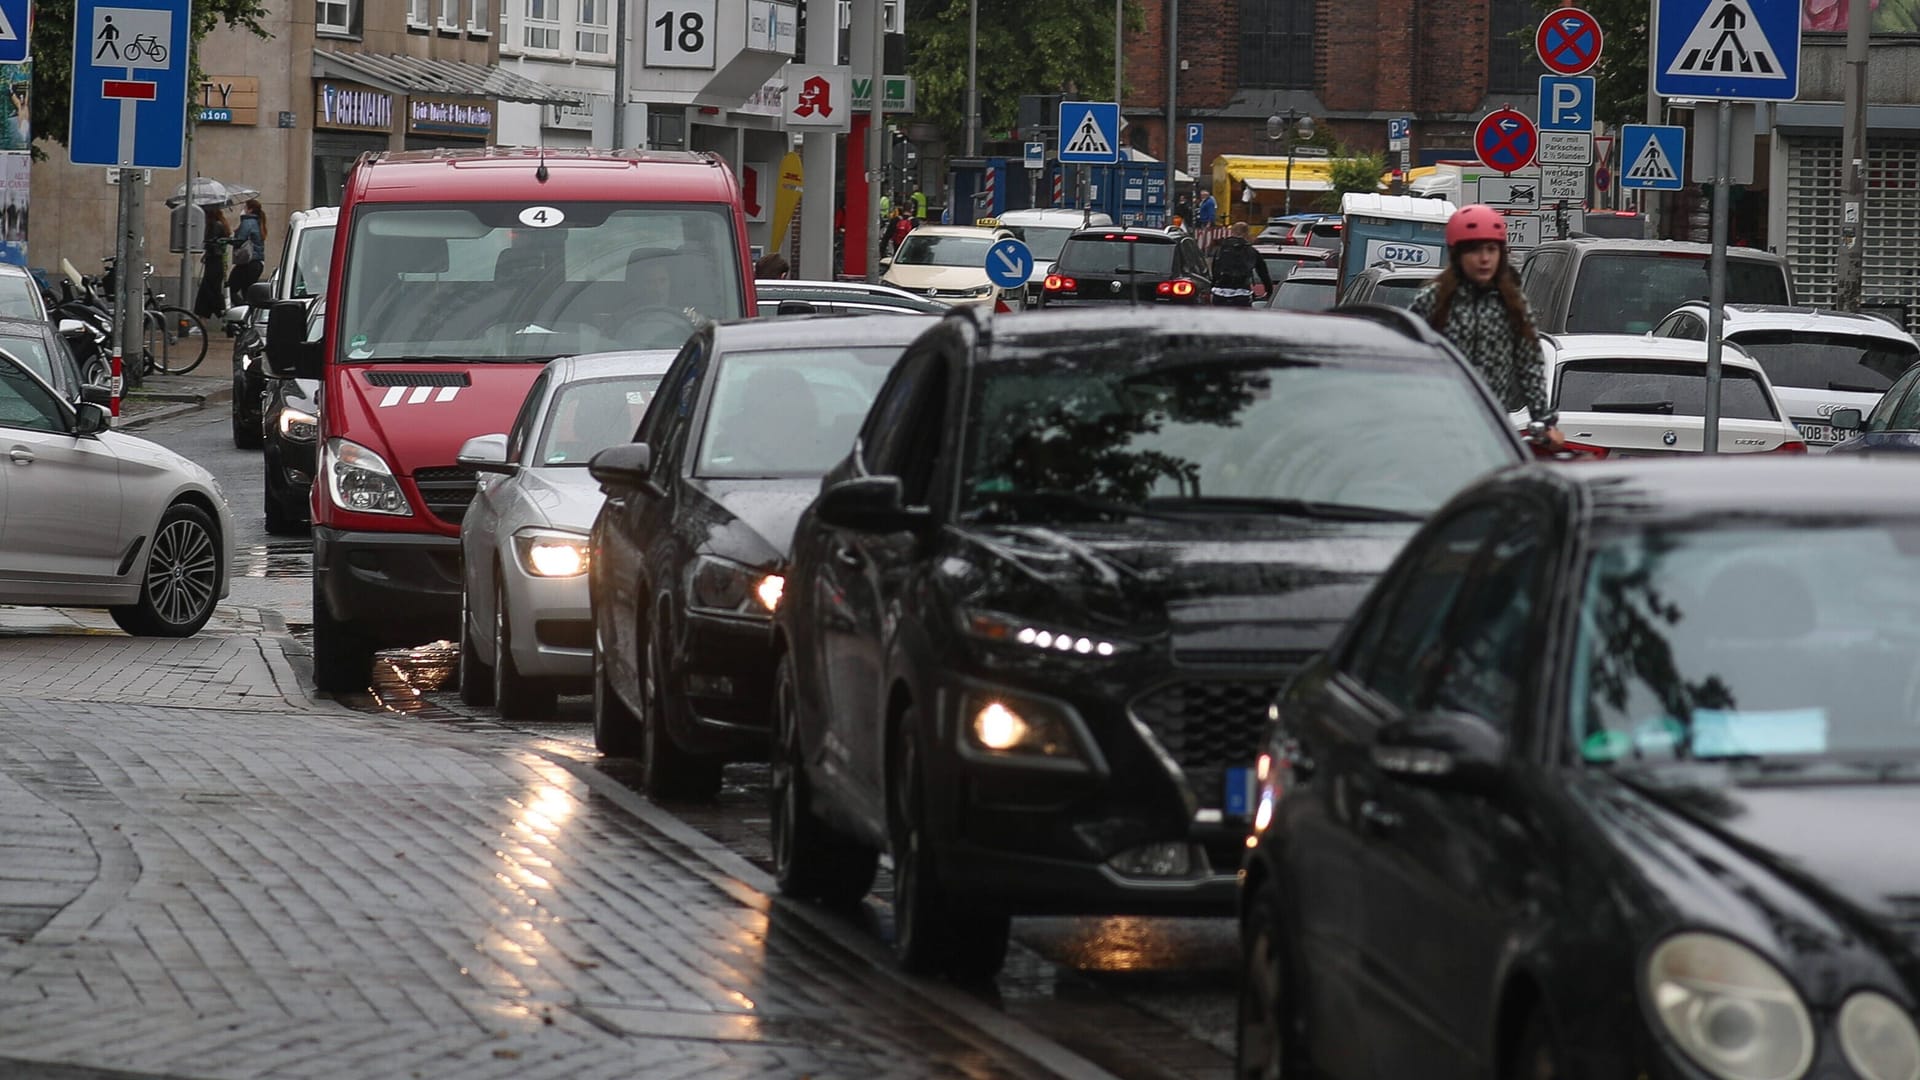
x: 1209, y: 727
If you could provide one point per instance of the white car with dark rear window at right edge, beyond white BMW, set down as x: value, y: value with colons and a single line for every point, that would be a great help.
x: 1819, y: 362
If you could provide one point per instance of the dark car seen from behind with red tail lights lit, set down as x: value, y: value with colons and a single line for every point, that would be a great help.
x: 1128, y: 266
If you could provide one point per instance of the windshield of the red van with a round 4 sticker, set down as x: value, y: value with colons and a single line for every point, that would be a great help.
x: 516, y: 282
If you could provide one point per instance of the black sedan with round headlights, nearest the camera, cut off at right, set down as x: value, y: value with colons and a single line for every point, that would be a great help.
x: 1614, y: 775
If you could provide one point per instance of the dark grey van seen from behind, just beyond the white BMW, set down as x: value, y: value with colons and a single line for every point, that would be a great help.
x: 1625, y: 287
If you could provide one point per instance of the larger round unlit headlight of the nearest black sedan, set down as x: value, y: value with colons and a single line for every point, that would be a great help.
x: 1731, y: 1012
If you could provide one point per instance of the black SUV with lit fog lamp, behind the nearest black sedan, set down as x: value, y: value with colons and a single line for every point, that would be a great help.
x: 1055, y: 587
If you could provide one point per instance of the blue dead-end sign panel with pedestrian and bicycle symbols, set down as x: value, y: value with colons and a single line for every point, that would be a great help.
x: 130, y: 84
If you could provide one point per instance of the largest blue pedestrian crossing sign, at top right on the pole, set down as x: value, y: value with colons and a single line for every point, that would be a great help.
x: 1727, y: 49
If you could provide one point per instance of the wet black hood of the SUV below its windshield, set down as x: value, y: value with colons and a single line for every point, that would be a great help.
x: 1218, y: 589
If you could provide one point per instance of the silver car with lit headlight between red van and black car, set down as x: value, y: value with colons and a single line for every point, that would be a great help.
x: 527, y: 629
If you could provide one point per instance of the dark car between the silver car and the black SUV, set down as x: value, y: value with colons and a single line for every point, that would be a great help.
x: 688, y: 552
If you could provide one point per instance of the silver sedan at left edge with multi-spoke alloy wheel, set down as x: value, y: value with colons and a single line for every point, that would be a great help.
x: 91, y: 518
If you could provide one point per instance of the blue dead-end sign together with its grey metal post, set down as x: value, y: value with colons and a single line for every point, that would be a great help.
x: 130, y: 112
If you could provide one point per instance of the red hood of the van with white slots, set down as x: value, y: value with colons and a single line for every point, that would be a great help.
x: 420, y: 422
